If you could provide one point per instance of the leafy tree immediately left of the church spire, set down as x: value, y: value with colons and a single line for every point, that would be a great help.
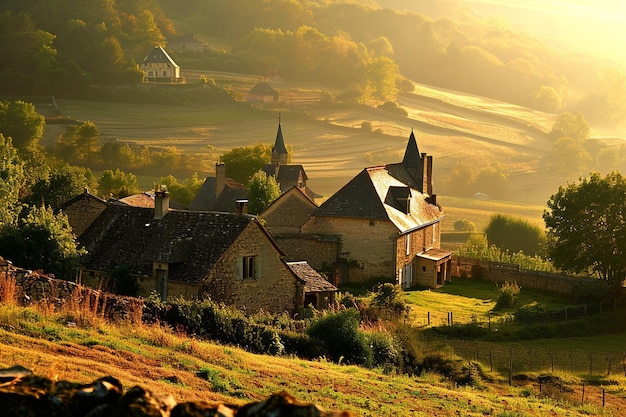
x: 243, y: 162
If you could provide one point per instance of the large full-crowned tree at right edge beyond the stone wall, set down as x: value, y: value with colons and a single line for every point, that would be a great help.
x: 586, y: 223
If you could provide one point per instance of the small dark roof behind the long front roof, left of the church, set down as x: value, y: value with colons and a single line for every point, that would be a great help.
x: 206, y: 200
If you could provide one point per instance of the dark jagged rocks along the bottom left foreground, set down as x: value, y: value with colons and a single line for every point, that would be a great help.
x: 23, y: 394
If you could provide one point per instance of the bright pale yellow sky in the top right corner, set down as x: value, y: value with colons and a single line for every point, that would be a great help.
x: 597, y: 26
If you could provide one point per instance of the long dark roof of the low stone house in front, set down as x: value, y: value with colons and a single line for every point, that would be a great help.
x: 191, y: 242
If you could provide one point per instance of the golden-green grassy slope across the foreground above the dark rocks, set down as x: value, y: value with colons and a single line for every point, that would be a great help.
x: 156, y: 358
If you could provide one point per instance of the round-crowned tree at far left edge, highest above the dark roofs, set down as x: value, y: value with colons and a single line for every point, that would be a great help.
x: 22, y: 123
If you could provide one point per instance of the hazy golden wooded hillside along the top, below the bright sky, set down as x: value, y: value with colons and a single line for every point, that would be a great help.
x: 360, y: 48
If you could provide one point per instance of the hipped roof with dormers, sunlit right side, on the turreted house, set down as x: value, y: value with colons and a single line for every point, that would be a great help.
x: 373, y: 194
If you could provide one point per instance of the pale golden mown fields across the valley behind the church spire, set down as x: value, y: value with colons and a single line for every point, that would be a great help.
x: 329, y: 140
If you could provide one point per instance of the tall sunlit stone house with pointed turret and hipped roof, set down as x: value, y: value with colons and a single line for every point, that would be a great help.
x: 388, y: 222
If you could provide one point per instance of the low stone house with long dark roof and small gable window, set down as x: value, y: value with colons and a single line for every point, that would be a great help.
x: 229, y: 257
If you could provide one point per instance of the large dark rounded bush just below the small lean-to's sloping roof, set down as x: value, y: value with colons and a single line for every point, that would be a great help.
x: 339, y: 333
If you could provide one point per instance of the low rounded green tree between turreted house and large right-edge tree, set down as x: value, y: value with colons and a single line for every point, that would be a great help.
x: 514, y: 234
